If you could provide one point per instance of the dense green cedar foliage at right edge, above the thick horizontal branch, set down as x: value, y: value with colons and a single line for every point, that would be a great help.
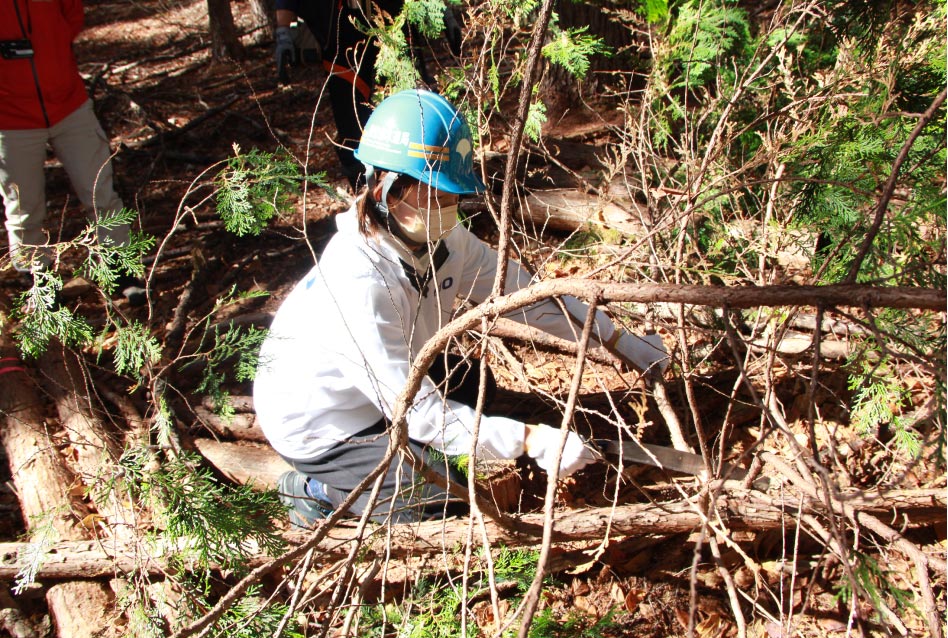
x: 849, y: 152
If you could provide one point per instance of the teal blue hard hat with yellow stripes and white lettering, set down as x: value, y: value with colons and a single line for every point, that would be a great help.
x: 420, y: 134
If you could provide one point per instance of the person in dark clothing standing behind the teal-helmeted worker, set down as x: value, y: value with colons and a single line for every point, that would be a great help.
x: 349, y: 58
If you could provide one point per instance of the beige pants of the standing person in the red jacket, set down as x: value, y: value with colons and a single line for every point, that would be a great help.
x: 83, y: 148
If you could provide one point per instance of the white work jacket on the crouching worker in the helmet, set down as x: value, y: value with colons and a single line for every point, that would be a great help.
x: 342, y: 343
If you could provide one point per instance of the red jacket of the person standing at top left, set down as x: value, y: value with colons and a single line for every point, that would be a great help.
x: 40, y: 91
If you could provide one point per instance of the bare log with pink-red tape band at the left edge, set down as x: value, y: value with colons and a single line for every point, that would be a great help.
x: 44, y: 487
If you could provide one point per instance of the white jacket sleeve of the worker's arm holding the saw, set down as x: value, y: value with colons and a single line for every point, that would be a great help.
x: 377, y: 359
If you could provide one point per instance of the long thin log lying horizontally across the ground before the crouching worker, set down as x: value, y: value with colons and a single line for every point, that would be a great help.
x: 741, y: 509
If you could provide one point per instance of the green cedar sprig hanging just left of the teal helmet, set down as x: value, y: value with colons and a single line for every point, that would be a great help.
x: 257, y: 186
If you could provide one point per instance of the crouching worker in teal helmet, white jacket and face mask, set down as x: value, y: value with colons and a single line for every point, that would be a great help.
x: 342, y: 344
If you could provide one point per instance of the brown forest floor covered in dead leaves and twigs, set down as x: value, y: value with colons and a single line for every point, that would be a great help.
x: 174, y: 117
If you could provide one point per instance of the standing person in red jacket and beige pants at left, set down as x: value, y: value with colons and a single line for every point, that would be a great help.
x: 43, y: 100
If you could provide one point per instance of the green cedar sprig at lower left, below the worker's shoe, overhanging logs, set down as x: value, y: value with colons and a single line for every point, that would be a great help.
x: 208, y: 523
